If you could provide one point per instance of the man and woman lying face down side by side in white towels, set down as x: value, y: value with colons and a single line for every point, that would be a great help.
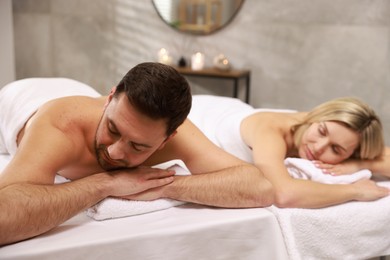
x: 65, y: 127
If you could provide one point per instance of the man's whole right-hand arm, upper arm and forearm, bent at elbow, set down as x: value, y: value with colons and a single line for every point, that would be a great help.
x: 218, y: 178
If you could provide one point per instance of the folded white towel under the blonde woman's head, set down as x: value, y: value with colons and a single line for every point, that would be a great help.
x: 305, y: 169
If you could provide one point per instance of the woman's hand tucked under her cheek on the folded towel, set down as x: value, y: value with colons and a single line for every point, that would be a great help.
x: 343, y: 168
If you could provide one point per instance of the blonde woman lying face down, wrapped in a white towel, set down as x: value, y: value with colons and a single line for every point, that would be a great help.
x: 341, y: 130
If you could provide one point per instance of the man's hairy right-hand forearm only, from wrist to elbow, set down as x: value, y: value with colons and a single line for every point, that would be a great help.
x: 233, y: 187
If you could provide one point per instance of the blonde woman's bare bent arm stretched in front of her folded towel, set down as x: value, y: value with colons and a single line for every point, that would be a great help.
x: 268, y: 138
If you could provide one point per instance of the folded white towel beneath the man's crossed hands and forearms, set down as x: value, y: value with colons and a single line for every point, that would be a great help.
x: 110, y: 208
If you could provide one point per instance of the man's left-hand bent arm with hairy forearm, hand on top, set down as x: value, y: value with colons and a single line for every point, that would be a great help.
x: 31, y: 204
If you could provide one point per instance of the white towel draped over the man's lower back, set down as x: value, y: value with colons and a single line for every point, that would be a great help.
x: 19, y: 100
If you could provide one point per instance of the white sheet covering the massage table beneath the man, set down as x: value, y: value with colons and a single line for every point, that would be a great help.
x: 186, y: 232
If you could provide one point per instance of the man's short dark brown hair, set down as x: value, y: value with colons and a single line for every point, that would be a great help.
x: 159, y: 92
